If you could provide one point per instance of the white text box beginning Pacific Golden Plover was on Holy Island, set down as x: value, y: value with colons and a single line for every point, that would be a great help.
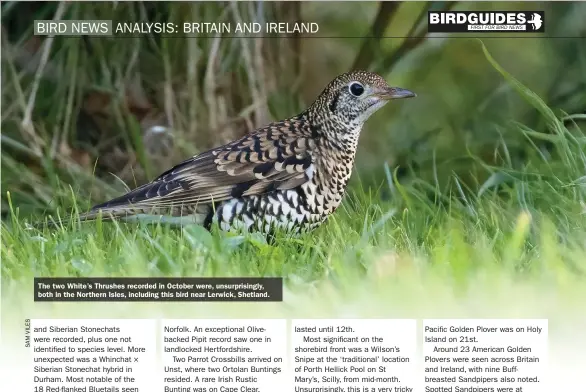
x: 497, y: 355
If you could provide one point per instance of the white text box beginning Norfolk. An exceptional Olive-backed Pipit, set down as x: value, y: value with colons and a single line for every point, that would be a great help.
x: 224, y: 355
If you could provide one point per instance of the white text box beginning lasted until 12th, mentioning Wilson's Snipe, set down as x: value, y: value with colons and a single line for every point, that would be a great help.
x: 353, y: 355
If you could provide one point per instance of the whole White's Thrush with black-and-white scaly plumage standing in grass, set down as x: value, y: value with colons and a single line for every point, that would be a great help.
x: 290, y: 174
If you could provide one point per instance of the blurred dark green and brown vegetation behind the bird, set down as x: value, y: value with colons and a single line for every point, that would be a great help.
x: 88, y: 116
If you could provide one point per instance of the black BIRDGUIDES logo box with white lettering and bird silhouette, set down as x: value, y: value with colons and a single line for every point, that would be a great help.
x: 495, y: 21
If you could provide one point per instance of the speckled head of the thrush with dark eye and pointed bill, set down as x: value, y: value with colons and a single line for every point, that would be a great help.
x: 353, y: 97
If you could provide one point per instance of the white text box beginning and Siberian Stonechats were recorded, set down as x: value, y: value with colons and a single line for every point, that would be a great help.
x: 73, y: 355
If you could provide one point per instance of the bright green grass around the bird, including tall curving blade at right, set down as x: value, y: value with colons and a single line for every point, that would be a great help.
x: 523, y: 226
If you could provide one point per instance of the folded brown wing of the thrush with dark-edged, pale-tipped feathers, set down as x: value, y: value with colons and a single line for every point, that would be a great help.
x: 278, y: 156
